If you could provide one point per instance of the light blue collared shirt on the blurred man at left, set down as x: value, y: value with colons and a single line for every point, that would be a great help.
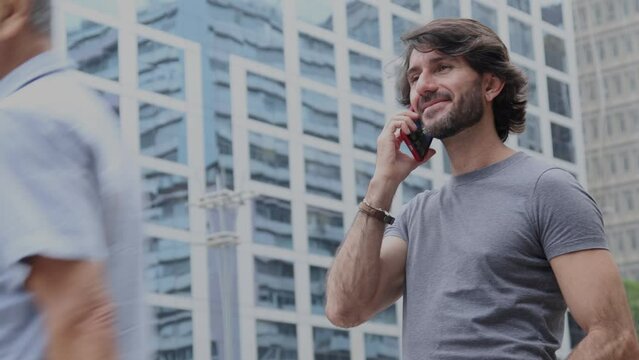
x: 67, y: 191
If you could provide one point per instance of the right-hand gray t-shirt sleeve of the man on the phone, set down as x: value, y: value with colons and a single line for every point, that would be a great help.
x: 567, y: 219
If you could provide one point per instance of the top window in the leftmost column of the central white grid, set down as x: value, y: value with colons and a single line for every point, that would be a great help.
x: 266, y: 100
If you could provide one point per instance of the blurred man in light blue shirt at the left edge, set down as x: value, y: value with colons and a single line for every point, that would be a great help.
x: 70, y: 280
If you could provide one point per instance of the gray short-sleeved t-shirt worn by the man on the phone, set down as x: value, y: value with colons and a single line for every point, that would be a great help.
x: 478, y: 279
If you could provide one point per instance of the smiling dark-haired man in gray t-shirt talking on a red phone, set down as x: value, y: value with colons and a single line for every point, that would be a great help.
x: 487, y: 263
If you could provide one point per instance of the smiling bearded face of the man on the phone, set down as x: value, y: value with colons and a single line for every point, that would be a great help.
x: 445, y: 91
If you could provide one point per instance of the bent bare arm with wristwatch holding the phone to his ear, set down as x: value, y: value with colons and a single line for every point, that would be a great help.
x: 368, y: 272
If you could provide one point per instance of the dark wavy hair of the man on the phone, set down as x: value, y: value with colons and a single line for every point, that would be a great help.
x: 485, y: 52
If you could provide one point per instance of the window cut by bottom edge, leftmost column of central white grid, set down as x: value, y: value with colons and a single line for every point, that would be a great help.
x: 276, y: 340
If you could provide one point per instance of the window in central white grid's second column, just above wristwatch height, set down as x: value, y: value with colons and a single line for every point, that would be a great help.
x: 323, y: 174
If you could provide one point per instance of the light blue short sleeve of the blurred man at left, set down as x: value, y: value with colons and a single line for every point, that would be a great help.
x: 49, y: 198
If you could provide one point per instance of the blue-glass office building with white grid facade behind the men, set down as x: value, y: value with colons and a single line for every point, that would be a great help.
x: 283, y: 99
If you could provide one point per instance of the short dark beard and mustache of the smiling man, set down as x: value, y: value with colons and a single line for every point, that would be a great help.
x: 466, y: 112
